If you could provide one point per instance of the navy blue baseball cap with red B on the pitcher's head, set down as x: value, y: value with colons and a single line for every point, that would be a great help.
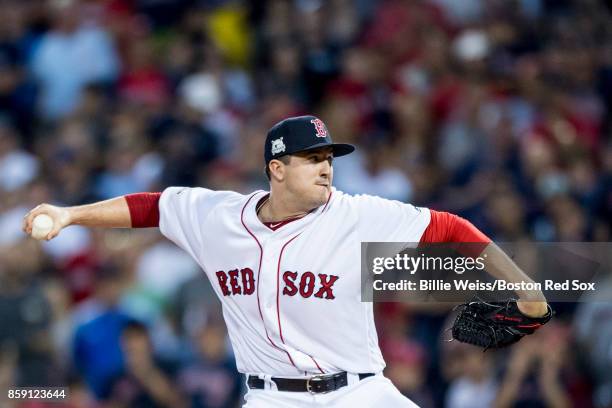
x: 299, y: 134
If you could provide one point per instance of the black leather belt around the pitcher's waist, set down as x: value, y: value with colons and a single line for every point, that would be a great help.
x: 319, y: 384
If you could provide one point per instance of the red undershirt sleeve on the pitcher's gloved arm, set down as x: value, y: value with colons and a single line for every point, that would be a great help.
x: 446, y: 227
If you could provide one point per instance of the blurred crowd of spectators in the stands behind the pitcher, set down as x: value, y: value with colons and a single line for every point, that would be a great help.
x: 497, y: 110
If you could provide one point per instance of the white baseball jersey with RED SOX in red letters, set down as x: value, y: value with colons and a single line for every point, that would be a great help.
x: 291, y: 296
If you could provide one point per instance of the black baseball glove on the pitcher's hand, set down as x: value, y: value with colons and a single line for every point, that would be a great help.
x: 495, y: 324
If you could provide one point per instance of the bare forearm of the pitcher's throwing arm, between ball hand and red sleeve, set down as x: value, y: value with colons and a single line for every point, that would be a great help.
x: 113, y: 213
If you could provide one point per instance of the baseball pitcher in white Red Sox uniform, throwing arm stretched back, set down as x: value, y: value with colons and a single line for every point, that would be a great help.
x: 285, y: 264
